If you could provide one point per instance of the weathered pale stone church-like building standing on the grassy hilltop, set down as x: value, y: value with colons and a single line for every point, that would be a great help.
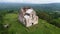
x: 28, y: 17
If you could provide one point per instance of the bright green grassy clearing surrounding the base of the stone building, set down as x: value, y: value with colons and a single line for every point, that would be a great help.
x: 43, y: 27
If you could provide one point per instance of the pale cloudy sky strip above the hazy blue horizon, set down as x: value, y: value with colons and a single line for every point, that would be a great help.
x: 32, y: 1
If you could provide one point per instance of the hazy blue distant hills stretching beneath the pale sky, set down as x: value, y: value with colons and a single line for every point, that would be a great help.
x: 51, y: 6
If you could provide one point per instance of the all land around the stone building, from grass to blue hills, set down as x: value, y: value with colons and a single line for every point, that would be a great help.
x: 49, y: 19
